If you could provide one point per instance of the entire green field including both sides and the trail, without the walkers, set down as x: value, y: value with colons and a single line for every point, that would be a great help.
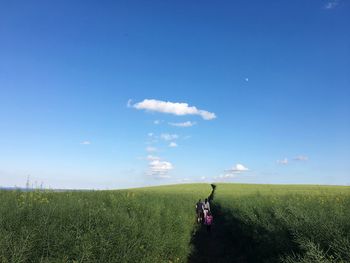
x: 253, y: 223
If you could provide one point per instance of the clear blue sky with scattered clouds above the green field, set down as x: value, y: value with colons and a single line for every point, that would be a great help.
x: 133, y: 93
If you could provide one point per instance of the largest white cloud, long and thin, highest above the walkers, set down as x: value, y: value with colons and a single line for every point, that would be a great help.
x: 176, y: 108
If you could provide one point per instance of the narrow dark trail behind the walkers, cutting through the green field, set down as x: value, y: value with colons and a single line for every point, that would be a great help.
x: 218, y: 245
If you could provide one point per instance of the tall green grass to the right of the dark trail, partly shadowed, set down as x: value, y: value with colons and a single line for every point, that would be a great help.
x: 288, y: 223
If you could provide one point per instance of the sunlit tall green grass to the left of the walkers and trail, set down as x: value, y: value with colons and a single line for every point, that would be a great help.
x: 137, y: 225
